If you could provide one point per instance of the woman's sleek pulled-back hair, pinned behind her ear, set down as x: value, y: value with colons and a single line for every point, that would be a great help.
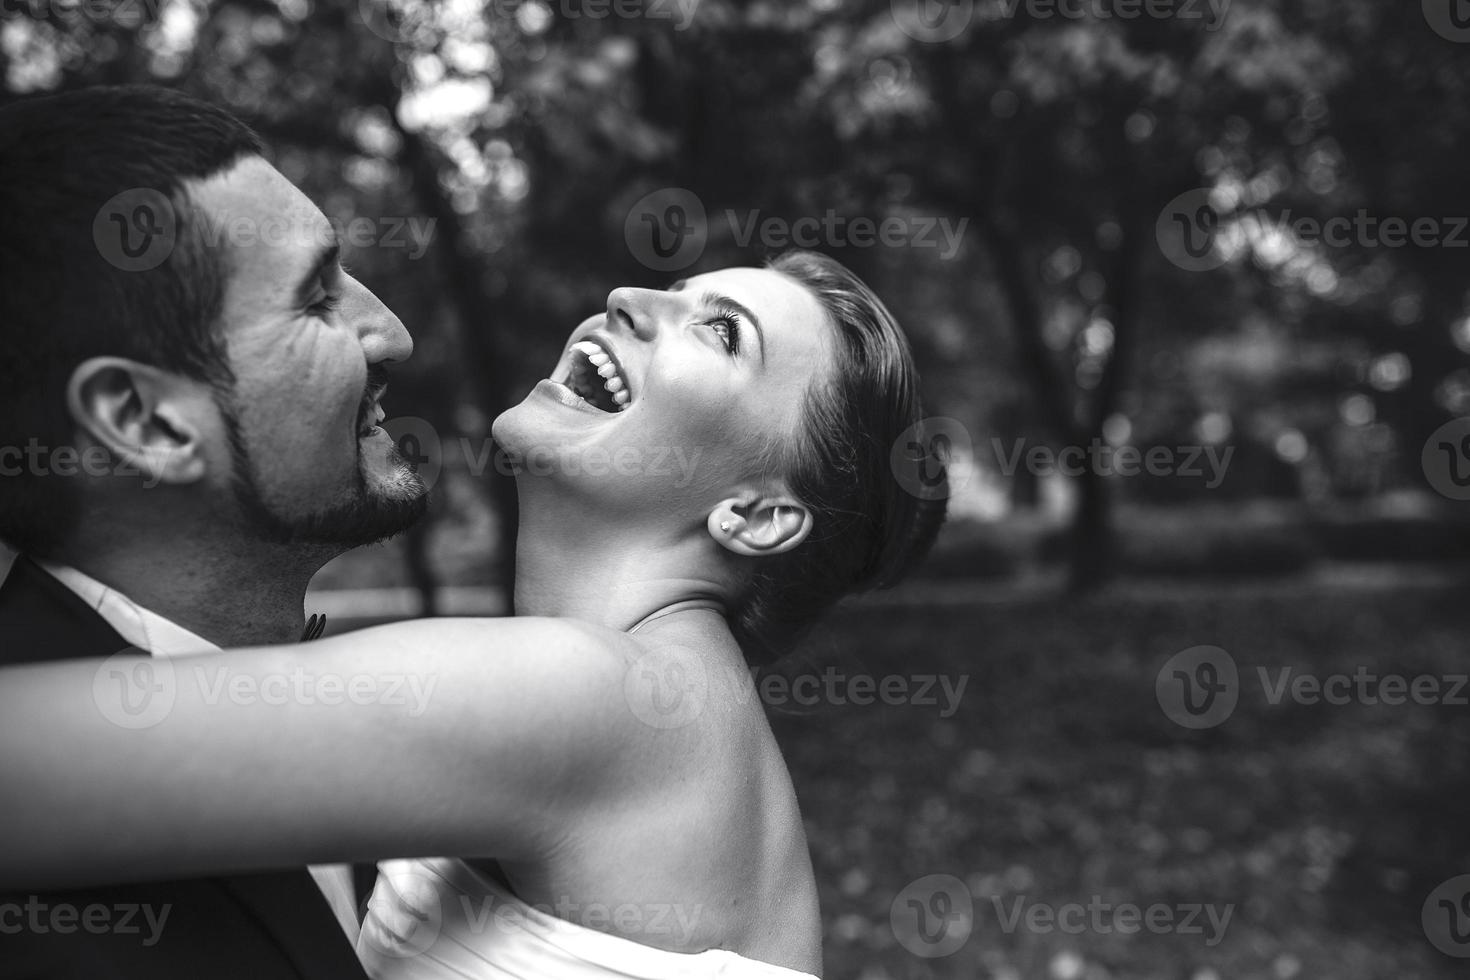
x: 868, y: 530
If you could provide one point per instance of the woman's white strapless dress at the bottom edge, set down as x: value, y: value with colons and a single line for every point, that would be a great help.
x: 439, y: 919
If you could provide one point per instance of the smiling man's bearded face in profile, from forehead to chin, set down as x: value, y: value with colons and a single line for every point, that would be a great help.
x: 309, y: 347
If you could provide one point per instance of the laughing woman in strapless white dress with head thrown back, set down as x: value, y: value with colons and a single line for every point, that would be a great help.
x: 600, y: 760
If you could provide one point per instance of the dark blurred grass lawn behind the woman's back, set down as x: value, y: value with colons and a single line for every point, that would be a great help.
x: 1062, y: 781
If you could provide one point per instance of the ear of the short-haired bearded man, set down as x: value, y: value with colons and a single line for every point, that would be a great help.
x: 142, y: 415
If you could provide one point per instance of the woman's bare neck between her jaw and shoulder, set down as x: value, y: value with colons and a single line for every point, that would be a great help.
x: 571, y: 565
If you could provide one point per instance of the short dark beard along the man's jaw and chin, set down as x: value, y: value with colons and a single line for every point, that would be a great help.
x: 364, y: 518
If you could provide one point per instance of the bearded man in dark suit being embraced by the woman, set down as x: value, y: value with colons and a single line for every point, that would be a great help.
x: 189, y: 406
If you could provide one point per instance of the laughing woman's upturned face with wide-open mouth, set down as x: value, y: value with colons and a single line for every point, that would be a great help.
x: 671, y: 397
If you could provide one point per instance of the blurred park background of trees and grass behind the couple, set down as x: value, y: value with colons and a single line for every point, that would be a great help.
x: 1187, y: 283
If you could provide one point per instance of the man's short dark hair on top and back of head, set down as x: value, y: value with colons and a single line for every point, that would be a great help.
x: 68, y: 287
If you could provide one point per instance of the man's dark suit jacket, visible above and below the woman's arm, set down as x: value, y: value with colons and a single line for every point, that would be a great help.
x: 245, y: 926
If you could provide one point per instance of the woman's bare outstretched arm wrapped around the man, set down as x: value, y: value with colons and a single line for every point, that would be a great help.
x: 436, y: 737
